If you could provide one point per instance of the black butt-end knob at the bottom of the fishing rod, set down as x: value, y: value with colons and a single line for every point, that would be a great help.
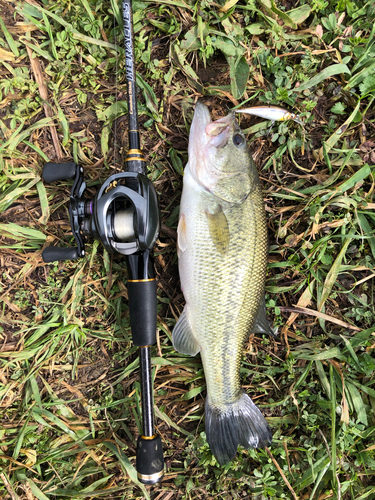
x: 150, y: 460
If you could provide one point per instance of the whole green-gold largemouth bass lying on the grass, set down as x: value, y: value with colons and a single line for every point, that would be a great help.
x: 222, y: 252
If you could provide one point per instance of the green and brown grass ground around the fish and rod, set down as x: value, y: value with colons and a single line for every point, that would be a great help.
x: 69, y: 387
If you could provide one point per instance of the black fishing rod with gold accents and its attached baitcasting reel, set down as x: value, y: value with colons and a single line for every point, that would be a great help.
x: 125, y: 216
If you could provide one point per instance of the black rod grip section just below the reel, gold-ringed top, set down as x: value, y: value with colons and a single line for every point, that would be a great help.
x: 142, y: 311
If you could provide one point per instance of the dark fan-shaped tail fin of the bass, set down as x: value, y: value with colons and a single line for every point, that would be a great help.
x: 239, y: 423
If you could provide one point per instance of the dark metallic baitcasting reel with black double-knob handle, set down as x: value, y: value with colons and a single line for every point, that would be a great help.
x: 124, y: 214
